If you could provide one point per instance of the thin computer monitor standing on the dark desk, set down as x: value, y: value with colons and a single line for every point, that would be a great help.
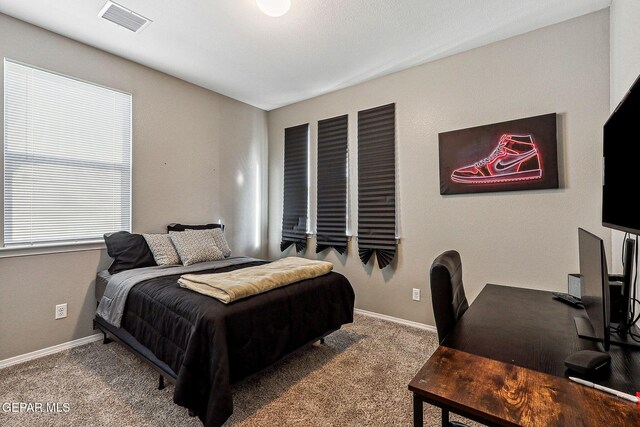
x: 594, y: 284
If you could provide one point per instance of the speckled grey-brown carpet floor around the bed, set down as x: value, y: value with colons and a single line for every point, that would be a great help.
x: 359, y: 377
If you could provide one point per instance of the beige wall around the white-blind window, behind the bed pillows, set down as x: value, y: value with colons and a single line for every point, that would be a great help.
x: 197, y: 157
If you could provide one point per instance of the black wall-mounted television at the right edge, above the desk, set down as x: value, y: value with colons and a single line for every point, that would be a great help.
x: 621, y: 177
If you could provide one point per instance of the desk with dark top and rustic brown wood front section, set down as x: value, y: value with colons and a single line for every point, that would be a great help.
x: 522, y: 337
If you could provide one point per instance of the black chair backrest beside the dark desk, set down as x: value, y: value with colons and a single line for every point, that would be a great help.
x: 447, y: 292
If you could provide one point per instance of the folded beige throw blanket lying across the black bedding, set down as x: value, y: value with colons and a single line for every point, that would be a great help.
x: 237, y: 284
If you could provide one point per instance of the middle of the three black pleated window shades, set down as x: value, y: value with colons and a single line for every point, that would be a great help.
x: 332, y: 184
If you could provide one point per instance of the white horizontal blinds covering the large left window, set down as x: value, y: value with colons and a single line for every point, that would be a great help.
x: 67, y: 158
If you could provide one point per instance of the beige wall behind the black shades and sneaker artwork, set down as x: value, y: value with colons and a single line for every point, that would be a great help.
x: 526, y: 239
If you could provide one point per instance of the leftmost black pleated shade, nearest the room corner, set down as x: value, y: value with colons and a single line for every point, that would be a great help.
x: 296, y: 187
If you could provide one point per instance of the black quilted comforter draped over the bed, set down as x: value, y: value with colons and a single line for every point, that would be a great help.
x: 210, y: 345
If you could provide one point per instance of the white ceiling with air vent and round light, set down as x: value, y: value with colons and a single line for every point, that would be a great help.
x: 231, y: 47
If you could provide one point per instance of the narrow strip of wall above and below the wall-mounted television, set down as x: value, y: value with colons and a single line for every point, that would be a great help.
x: 625, y: 68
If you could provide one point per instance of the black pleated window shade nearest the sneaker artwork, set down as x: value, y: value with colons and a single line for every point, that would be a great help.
x: 377, y: 184
